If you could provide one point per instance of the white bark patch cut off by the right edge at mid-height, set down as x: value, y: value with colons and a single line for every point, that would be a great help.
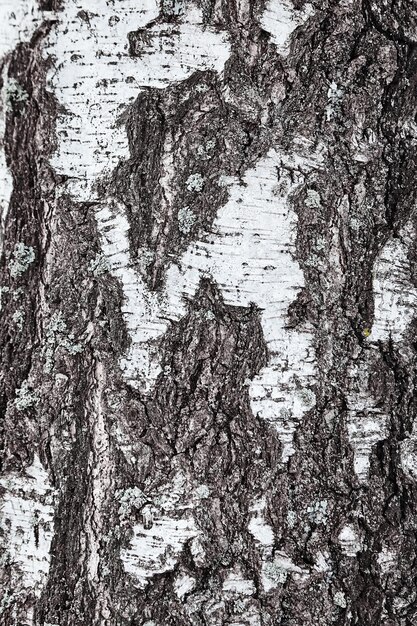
x: 395, y: 296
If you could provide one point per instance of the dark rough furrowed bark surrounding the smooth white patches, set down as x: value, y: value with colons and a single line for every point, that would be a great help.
x: 344, y: 546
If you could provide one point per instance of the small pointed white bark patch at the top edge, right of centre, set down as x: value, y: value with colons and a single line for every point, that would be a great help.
x: 280, y: 19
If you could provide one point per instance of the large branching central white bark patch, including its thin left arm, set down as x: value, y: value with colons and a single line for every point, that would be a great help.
x: 250, y: 255
